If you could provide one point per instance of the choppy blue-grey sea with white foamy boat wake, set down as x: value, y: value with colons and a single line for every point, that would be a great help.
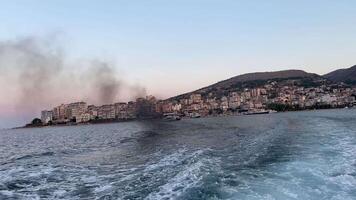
x: 296, y: 155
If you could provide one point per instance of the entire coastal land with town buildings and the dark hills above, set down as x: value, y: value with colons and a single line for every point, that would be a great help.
x: 249, y: 93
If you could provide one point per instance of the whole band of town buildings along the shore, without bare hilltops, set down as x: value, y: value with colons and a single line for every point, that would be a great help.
x: 211, y: 103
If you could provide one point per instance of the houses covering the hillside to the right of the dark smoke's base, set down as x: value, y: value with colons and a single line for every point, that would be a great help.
x: 263, y: 98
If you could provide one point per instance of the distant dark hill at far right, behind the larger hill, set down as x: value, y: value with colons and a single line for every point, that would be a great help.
x: 343, y: 75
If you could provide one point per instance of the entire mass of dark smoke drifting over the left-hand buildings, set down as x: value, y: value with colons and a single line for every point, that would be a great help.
x: 40, y: 76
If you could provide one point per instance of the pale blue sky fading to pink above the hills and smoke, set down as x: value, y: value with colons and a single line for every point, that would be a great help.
x: 172, y: 47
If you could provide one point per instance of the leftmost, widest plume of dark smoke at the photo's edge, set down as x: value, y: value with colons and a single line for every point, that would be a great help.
x: 35, y: 65
